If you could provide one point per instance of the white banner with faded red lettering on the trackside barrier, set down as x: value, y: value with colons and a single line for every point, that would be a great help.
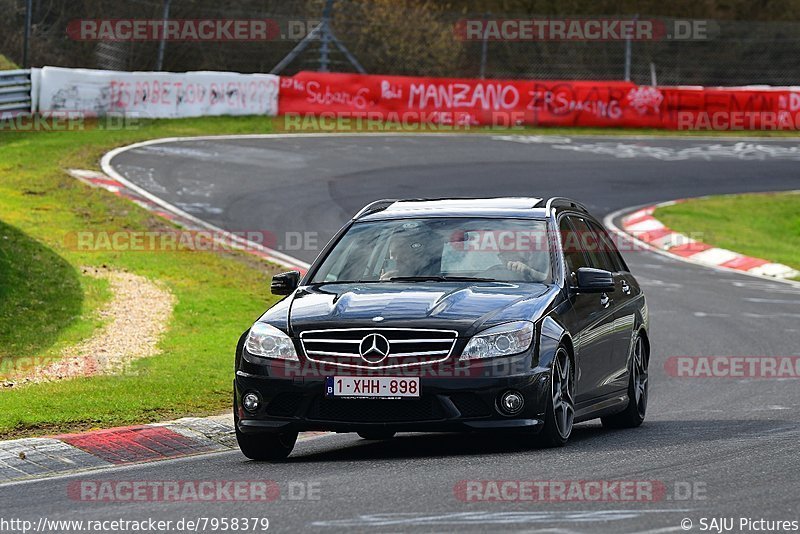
x: 157, y: 94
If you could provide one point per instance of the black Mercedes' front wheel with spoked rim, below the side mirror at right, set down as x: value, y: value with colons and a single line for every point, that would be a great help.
x: 560, y: 412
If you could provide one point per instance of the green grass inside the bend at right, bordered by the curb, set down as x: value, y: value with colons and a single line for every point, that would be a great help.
x: 764, y: 225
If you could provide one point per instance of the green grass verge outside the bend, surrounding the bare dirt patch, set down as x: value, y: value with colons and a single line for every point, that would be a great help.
x: 46, y: 303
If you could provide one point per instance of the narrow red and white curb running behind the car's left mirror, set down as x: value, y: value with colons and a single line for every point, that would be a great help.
x: 121, y: 187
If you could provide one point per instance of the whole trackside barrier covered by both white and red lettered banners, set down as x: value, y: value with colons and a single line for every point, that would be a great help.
x: 401, y: 99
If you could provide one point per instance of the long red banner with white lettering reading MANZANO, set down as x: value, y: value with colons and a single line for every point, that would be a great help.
x: 506, y: 103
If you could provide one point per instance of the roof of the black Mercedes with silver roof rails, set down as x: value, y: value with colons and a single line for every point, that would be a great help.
x: 513, y: 207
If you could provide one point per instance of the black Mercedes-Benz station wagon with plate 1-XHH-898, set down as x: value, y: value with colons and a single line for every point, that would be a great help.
x: 487, y: 314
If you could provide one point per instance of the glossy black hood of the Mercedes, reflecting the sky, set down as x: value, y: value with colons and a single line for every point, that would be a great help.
x: 462, y: 306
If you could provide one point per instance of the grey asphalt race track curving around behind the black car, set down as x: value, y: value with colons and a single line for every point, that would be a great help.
x: 737, y: 442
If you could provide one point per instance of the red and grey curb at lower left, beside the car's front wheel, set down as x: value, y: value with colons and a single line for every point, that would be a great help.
x: 31, y: 458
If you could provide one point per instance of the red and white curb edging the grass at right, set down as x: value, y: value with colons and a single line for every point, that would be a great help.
x: 642, y: 225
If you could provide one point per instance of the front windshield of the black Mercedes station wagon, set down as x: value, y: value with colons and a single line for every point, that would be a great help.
x: 440, y: 249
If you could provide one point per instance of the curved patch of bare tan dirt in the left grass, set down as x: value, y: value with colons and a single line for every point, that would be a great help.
x: 134, y: 320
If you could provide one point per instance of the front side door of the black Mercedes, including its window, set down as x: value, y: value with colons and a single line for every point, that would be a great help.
x: 593, y: 313
